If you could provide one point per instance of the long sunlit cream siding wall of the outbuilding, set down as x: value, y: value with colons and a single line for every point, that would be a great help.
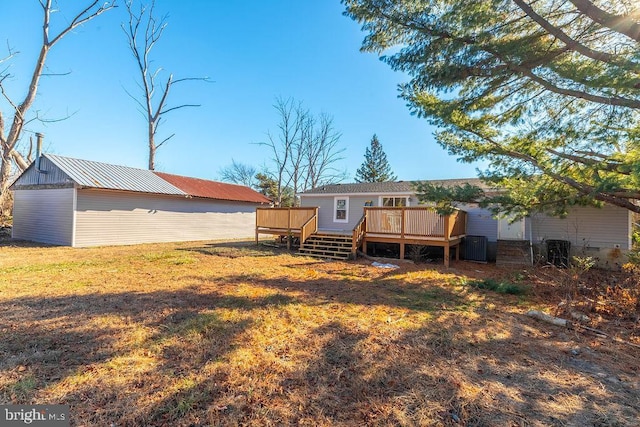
x: 114, y: 218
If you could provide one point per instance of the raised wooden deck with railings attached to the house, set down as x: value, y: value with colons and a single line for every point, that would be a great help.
x: 402, y: 225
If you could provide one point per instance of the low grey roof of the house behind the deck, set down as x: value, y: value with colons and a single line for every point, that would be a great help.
x: 391, y: 187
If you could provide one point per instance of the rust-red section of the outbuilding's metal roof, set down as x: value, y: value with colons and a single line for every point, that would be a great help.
x: 214, y: 190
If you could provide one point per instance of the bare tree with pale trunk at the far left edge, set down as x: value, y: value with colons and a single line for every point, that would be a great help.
x: 18, y: 110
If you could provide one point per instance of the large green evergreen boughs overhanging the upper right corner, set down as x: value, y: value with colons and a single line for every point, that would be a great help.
x: 546, y: 92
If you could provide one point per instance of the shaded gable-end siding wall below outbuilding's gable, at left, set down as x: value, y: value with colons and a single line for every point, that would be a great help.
x: 44, y: 215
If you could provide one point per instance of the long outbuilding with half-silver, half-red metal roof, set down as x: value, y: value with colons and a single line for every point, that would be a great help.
x: 79, y: 203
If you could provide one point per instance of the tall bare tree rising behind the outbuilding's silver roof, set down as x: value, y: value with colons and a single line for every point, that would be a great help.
x: 143, y: 31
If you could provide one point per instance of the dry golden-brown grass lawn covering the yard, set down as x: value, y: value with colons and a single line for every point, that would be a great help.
x: 199, y: 334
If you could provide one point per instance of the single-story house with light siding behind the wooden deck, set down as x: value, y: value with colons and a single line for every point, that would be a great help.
x: 603, y: 233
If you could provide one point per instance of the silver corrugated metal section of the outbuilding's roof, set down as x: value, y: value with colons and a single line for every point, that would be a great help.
x: 113, y: 177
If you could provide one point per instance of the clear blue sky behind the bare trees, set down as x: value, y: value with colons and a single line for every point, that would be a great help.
x: 253, y: 51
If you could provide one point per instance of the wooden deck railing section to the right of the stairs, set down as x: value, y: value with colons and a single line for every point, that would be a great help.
x: 408, y: 222
